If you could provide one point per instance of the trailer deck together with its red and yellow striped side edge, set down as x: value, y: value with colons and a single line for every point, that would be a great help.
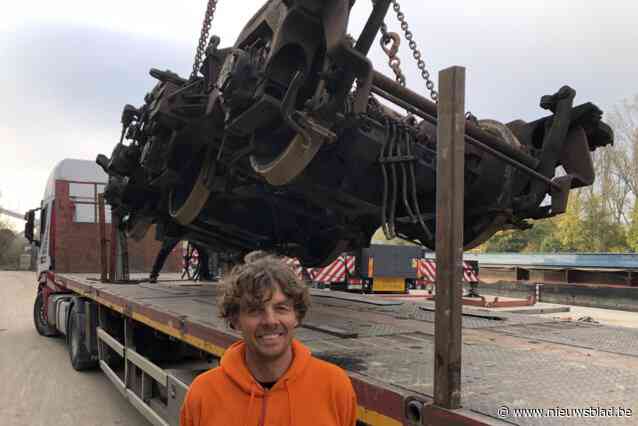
x: 509, y: 360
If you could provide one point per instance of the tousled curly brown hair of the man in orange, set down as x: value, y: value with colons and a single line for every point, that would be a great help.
x: 251, y: 284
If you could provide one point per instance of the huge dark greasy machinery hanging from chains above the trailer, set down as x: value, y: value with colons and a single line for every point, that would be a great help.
x: 270, y: 123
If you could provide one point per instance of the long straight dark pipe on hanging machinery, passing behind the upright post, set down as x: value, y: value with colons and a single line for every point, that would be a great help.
x: 388, y: 85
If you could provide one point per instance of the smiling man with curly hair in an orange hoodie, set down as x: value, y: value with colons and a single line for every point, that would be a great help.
x: 268, y: 377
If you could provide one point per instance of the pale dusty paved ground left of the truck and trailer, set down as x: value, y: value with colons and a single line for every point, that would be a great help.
x: 38, y: 386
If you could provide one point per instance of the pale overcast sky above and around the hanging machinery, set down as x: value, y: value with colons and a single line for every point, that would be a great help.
x: 68, y: 66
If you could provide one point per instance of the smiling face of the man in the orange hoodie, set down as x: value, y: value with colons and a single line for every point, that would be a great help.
x: 268, y: 328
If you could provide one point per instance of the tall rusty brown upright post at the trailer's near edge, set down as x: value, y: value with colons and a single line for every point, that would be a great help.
x: 449, y: 237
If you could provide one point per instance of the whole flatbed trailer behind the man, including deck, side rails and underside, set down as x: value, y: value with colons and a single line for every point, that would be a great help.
x: 151, y: 340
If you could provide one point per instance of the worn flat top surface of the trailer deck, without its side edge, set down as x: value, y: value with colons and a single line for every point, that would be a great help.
x: 517, y: 360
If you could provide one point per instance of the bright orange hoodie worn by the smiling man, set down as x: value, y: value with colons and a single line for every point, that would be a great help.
x: 311, y: 392
